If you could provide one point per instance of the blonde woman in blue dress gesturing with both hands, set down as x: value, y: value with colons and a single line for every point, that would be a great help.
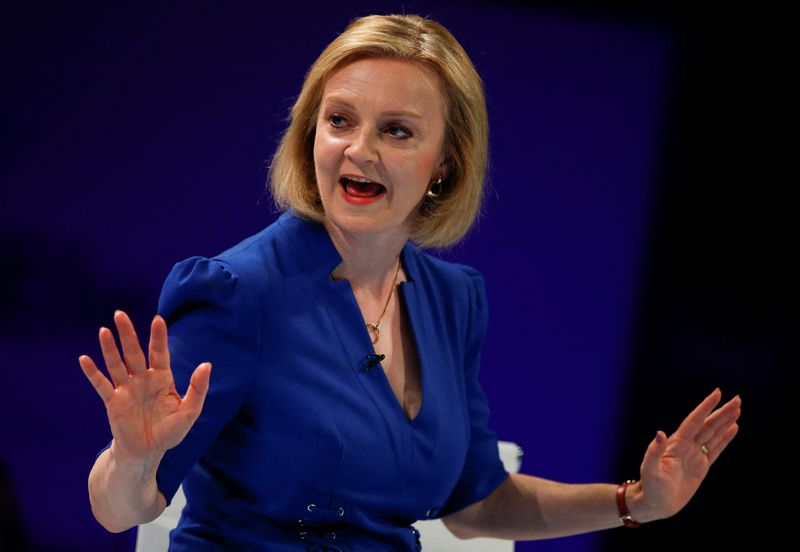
x: 345, y: 402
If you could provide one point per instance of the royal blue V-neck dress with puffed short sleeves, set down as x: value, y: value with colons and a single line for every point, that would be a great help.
x: 302, y: 444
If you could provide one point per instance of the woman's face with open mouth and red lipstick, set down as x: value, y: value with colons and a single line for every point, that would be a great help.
x: 378, y: 145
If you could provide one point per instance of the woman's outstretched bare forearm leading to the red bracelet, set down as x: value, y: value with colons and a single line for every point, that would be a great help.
x: 526, y: 508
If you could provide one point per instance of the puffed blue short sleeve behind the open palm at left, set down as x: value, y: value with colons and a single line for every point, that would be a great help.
x: 210, y: 317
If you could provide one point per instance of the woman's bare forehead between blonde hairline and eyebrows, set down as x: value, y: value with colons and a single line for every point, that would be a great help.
x: 387, y: 85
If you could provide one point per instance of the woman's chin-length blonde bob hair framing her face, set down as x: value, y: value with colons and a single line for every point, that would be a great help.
x: 441, y: 221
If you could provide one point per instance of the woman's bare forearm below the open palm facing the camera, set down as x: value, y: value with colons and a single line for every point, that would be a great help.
x: 124, y: 494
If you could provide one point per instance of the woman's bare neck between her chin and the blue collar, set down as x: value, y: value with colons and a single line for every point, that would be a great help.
x: 368, y: 261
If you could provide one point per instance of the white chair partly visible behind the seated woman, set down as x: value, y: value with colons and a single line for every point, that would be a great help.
x: 154, y: 536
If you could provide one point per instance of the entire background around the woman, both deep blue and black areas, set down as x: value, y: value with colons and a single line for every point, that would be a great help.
x: 636, y: 239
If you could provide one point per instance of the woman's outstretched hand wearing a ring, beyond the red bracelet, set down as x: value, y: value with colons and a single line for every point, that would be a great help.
x: 674, y: 466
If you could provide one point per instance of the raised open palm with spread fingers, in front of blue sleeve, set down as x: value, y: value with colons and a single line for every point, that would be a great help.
x: 146, y: 413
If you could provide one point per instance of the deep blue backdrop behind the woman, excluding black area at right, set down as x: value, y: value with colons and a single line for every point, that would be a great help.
x: 137, y: 137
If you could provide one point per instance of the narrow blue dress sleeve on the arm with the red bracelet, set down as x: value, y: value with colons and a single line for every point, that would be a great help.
x: 483, y: 470
